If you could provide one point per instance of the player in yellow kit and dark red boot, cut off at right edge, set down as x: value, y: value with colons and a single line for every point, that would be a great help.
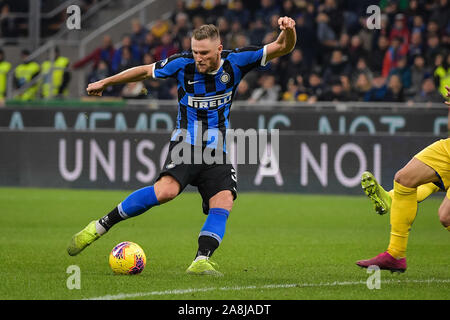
x: 427, y: 172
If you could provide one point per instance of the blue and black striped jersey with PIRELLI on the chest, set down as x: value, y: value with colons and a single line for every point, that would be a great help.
x: 205, y: 99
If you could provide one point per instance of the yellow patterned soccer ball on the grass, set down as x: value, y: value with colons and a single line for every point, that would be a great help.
x: 127, y: 258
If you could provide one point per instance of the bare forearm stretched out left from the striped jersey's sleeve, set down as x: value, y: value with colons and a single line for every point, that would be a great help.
x: 130, y: 75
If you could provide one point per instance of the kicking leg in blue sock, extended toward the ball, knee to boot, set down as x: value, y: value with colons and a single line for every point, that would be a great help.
x: 135, y: 204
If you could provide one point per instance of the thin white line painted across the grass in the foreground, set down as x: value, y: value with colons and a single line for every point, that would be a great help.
x: 268, y: 286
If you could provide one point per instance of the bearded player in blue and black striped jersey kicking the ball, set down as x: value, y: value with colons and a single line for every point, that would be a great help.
x: 207, y: 80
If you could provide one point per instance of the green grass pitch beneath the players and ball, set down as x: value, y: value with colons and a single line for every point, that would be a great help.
x: 307, y: 242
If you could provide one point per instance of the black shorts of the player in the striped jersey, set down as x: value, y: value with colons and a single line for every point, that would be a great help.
x: 208, y: 178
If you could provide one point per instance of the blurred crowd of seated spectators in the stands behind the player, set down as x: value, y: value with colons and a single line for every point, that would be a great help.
x: 337, y: 57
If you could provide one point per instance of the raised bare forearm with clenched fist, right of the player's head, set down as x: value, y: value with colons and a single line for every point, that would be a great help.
x: 286, y: 40
